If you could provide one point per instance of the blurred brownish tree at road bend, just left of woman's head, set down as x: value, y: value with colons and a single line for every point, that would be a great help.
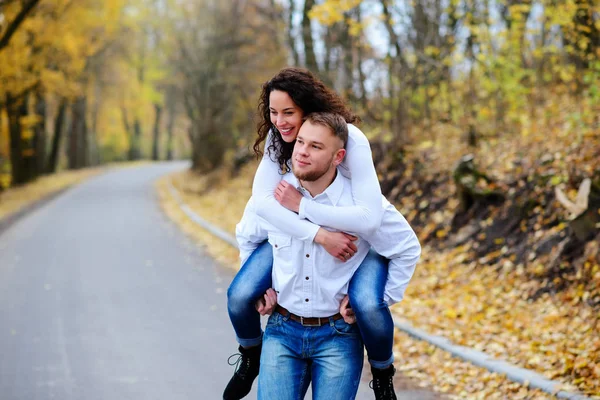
x: 223, y: 52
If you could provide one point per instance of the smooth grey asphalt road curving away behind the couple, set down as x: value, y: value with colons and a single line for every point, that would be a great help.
x: 102, y: 297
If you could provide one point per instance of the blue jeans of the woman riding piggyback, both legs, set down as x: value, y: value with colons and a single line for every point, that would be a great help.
x: 366, y: 298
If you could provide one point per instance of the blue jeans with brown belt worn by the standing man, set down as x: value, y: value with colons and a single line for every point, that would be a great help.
x: 329, y: 356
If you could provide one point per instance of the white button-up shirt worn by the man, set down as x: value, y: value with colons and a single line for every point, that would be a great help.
x: 309, y: 281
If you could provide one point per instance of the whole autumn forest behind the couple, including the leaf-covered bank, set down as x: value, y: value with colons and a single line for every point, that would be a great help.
x: 484, y: 119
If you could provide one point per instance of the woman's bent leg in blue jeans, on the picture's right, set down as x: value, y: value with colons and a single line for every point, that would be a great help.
x: 372, y: 313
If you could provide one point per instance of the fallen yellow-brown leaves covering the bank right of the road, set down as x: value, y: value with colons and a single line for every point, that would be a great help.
x: 482, y: 293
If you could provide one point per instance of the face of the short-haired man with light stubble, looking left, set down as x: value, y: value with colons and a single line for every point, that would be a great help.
x: 317, y: 150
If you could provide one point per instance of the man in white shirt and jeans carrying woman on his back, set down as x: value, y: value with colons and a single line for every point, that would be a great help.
x: 307, y: 338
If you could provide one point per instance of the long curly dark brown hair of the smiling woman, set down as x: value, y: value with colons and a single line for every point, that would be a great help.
x: 309, y: 94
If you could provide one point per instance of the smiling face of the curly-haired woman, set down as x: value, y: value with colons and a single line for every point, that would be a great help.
x: 285, y: 115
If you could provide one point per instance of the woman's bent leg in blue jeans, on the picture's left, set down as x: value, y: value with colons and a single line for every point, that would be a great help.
x: 250, y: 284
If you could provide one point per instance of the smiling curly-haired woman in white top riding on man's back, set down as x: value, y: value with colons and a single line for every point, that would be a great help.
x: 285, y: 100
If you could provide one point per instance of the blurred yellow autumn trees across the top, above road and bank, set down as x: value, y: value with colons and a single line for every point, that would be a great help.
x: 87, y: 82
